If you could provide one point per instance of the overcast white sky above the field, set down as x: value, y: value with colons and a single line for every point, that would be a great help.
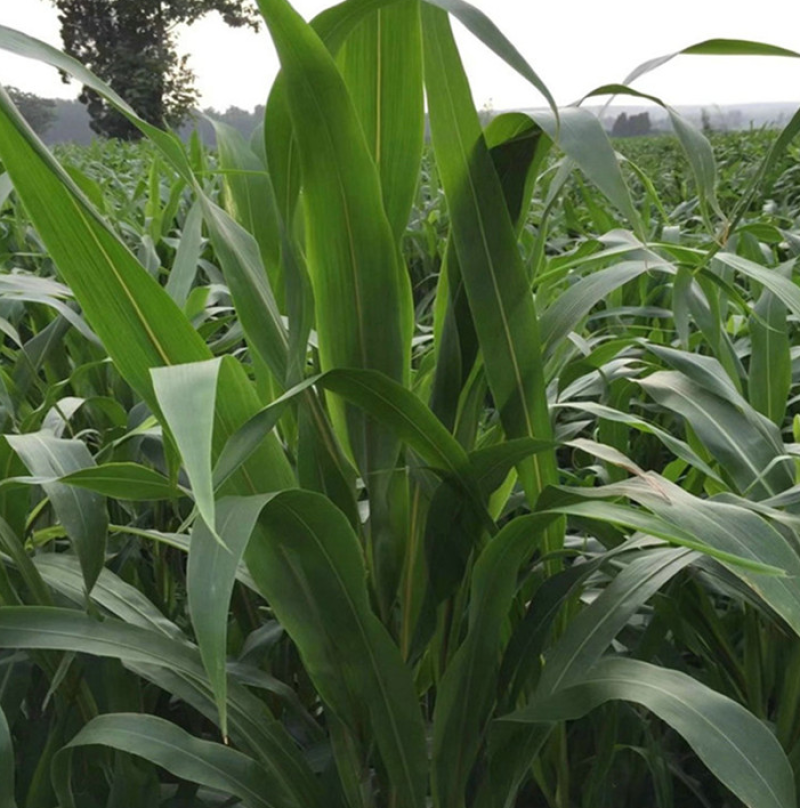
x: 574, y: 45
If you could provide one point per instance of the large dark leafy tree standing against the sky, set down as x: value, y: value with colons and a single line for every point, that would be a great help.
x: 131, y: 45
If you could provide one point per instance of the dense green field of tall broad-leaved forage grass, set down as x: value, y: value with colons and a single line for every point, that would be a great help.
x: 342, y: 470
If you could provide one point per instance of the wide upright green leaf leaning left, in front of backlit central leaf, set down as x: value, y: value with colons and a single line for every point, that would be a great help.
x: 362, y: 294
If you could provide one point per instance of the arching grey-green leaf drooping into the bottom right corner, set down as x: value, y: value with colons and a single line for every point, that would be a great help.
x: 738, y: 748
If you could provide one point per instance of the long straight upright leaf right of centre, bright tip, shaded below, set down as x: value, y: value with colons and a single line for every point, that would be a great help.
x: 485, y: 241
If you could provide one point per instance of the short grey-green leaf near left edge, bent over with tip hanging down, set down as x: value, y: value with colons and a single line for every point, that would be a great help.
x: 81, y: 512
